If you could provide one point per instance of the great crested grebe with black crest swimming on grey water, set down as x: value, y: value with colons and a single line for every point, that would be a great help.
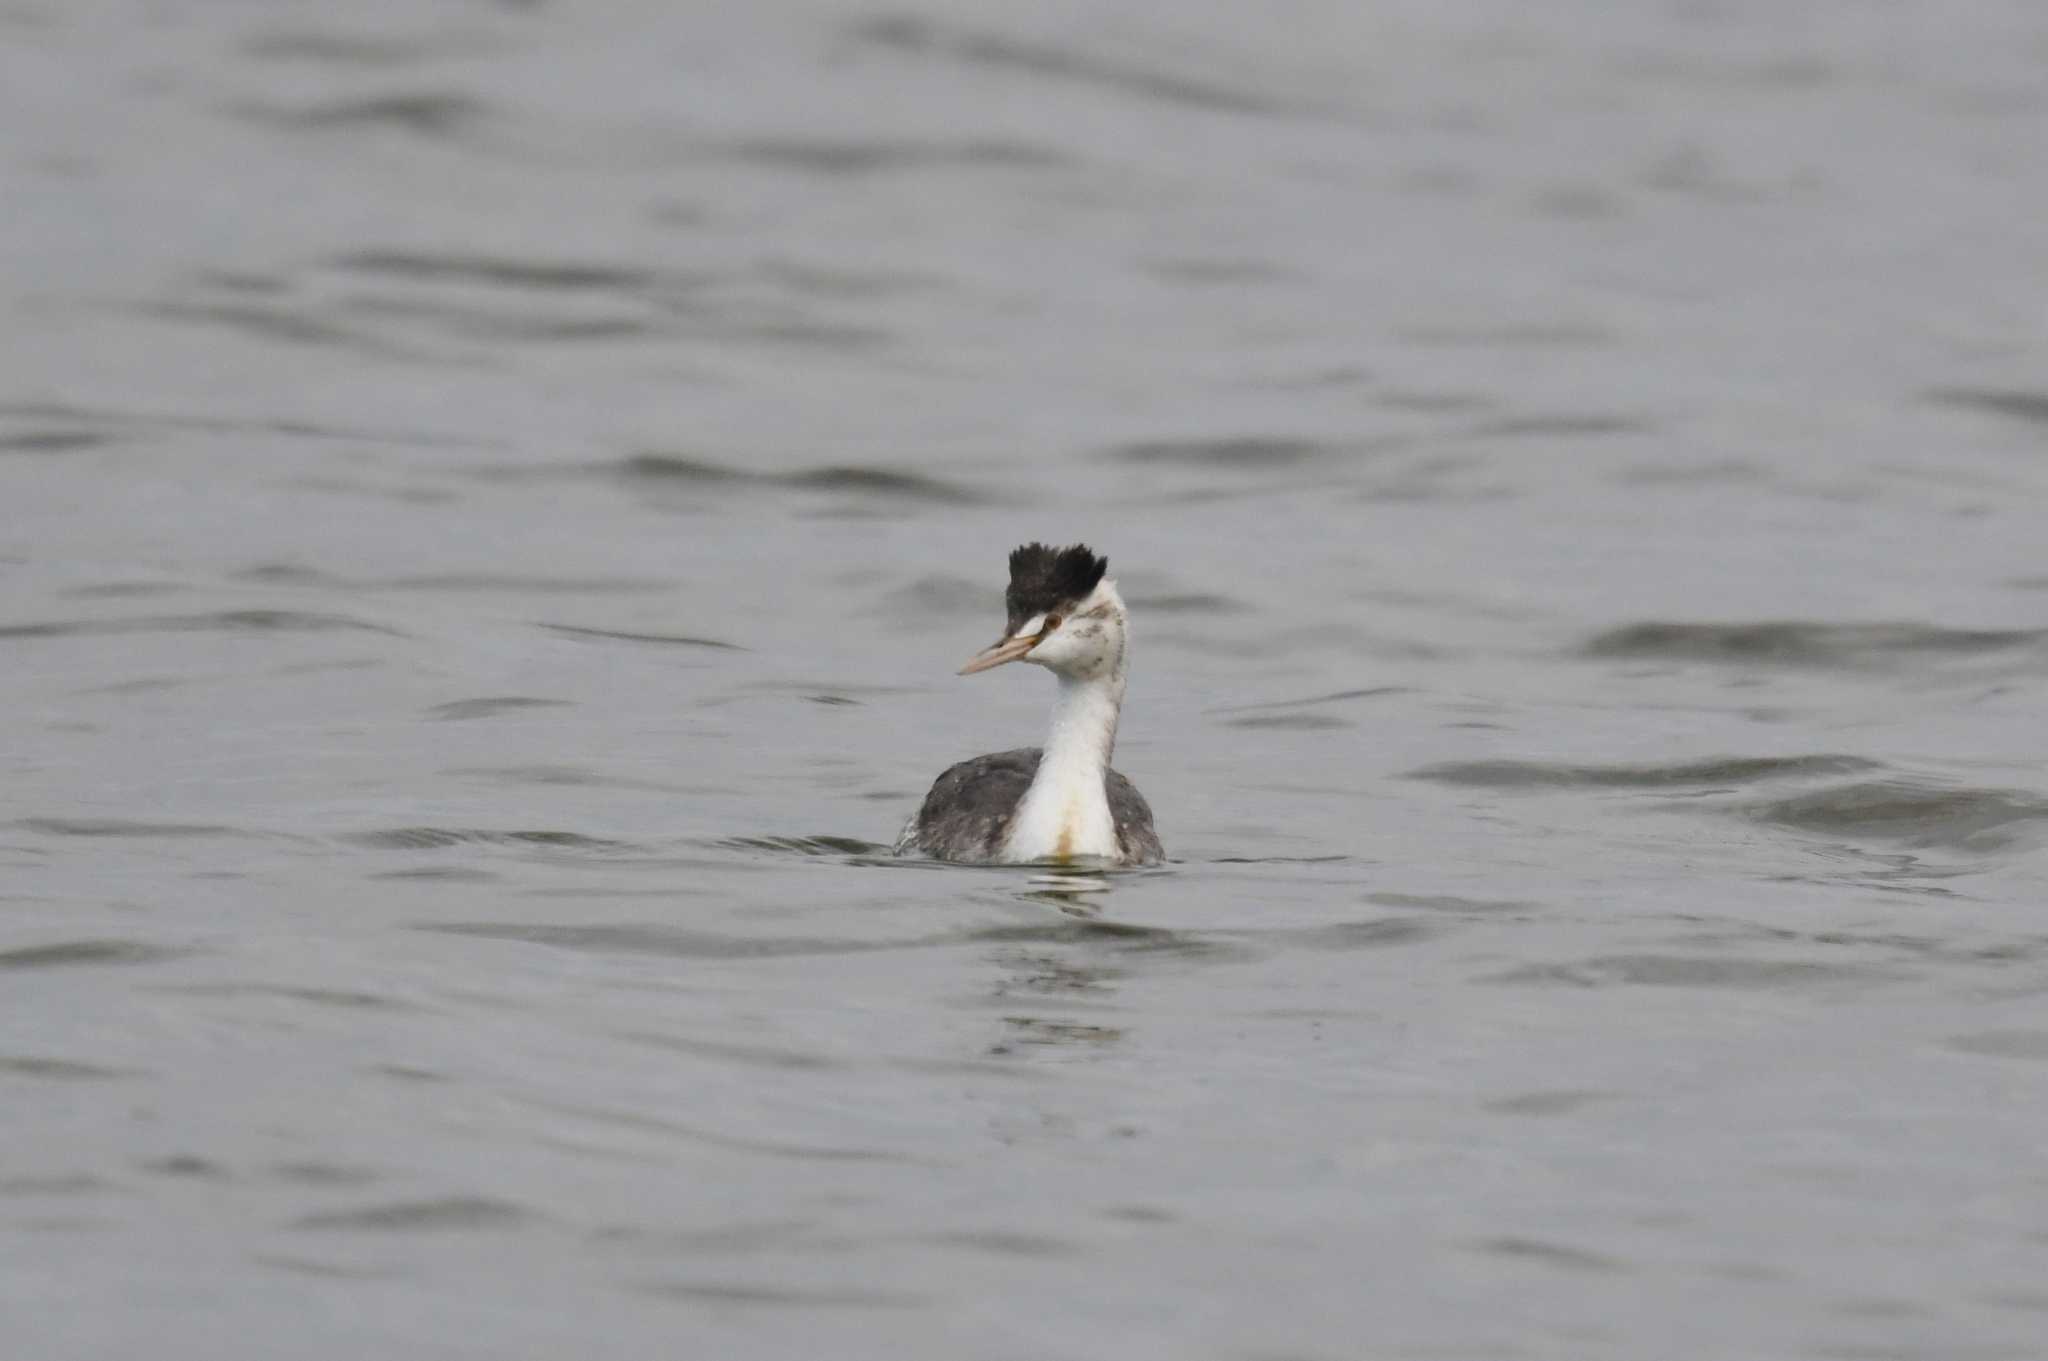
x: 1062, y: 801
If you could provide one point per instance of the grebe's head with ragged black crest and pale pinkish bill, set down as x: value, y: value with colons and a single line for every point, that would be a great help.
x: 1064, y: 615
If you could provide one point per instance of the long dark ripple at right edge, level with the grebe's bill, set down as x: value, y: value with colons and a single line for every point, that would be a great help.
x: 1801, y: 644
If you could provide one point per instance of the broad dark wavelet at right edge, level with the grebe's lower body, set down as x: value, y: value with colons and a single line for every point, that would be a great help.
x: 1912, y: 814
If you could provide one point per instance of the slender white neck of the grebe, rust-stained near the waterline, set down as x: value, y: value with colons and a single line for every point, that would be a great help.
x: 1066, y: 811
